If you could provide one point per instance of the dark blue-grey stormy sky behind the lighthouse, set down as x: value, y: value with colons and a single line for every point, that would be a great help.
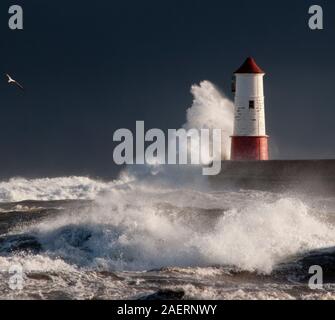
x: 91, y: 67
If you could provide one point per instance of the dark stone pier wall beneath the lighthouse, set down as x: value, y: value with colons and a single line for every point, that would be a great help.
x: 280, y: 175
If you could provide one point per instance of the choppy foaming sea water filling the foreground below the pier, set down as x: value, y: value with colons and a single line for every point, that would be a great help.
x: 136, y: 238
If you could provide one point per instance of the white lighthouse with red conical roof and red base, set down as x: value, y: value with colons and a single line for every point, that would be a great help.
x: 249, y: 141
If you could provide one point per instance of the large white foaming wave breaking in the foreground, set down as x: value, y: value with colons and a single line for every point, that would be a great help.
x: 141, y: 228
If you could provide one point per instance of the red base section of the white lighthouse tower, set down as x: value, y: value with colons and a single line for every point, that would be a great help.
x: 249, y: 148
